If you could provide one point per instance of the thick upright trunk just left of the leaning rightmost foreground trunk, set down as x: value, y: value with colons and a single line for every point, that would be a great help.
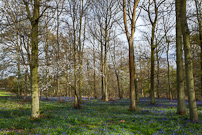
x: 181, y: 105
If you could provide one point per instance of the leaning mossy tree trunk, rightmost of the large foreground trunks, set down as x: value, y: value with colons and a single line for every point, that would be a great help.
x: 188, y: 65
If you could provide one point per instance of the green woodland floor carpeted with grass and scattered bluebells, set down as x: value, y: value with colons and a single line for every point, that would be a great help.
x: 97, y: 117
